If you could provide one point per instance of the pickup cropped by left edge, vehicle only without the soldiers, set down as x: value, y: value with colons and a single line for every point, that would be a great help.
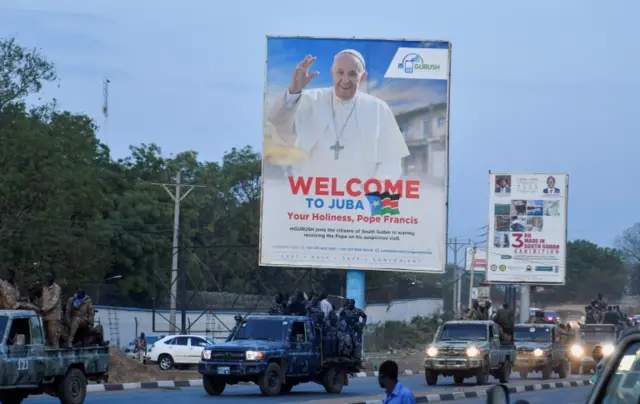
x: 31, y: 368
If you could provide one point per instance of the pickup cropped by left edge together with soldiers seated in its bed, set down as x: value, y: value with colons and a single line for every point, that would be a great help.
x: 49, y: 349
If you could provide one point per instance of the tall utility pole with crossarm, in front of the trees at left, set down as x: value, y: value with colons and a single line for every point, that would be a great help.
x: 177, y: 196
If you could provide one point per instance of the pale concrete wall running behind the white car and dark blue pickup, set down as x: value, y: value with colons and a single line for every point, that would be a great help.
x: 131, y: 321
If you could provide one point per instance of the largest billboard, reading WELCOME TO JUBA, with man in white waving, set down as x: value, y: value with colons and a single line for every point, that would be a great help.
x: 355, y: 154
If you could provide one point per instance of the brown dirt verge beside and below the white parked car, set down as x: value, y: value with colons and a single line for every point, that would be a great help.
x: 124, y: 369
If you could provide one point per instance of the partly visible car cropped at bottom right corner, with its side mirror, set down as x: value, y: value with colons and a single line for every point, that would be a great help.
x: 616, y: 383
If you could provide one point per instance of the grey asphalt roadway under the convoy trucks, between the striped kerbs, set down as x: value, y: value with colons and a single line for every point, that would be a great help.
x: 248, y: 394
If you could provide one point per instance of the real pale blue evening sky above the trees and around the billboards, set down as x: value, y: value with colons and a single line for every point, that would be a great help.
x: 537, y: 86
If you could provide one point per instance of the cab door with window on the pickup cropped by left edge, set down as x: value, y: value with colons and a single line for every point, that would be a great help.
x: 21, y: 354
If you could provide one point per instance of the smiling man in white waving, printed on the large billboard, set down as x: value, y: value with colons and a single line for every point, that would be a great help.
x: 339, y: 131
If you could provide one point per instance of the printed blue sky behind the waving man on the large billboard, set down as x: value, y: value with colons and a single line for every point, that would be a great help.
x: 284, y: 54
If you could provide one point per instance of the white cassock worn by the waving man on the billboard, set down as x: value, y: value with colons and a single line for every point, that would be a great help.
x: 372, y: 145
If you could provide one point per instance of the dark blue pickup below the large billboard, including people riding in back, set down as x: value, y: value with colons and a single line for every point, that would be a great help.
x: 302, y: 339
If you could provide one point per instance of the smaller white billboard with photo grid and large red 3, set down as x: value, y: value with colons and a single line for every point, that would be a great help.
x: 527, y: 228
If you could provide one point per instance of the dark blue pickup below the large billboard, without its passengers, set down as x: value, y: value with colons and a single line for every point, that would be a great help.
x: 276, y: 353
